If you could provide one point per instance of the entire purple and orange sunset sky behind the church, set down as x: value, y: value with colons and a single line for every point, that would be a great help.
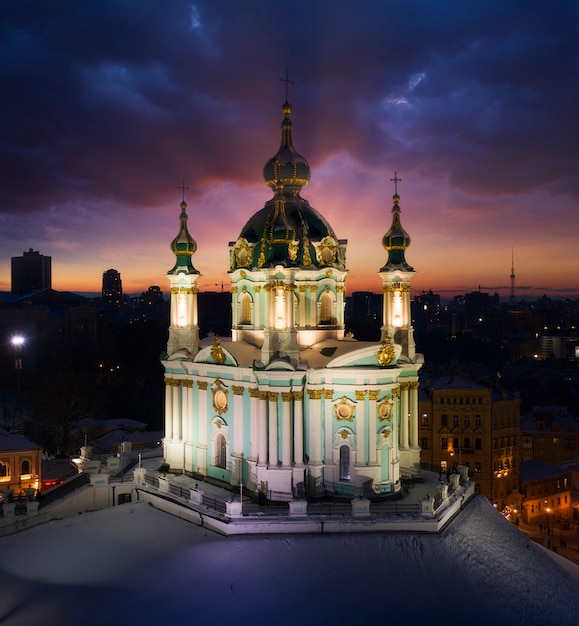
x: 109, y: 105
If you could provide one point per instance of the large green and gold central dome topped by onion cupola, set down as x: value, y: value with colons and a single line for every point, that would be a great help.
x: 287, y: 231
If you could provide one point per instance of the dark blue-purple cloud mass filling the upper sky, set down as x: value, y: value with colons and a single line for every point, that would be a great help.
x: 117, y: 101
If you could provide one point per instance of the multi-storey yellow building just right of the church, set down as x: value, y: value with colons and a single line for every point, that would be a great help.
x: 463, y: 422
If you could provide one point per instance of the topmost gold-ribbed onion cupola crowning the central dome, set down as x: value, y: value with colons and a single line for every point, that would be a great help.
x: 287, y: 169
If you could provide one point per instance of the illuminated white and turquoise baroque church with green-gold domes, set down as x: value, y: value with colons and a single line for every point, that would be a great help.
x: 292, y: 405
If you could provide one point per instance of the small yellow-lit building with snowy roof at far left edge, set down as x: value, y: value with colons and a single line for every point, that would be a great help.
x: 20, y: 463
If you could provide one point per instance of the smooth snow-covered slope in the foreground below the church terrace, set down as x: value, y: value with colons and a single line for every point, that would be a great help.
x: 133, y: 564
